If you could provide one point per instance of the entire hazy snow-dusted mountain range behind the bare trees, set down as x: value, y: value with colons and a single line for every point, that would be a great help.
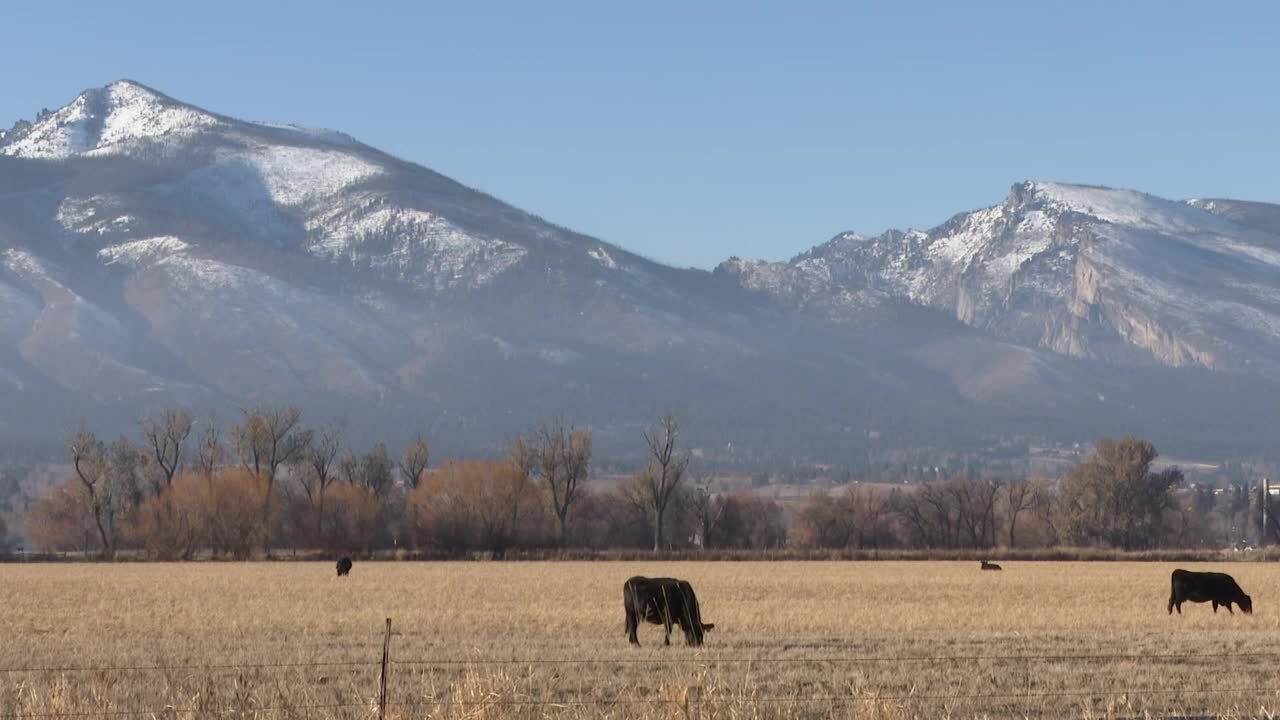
x: 156, y: 254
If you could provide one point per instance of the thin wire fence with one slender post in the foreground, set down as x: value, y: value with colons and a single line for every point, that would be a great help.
x: 692, y: 705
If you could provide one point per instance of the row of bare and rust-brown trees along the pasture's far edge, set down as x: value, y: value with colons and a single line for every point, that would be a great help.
x: 271, y: 484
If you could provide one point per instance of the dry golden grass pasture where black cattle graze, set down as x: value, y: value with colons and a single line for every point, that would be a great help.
x: 546, y: 640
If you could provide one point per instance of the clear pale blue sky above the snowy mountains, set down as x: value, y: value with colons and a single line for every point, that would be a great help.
x: 696, y: 131
